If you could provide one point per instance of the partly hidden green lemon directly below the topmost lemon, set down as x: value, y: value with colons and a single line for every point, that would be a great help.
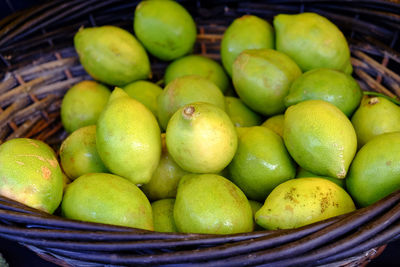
x: 198, y: 65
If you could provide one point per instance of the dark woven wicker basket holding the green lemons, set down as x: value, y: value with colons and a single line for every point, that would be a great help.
x: 39, y: 64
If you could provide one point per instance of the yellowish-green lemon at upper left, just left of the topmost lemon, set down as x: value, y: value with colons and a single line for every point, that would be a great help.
x: 112, y: 55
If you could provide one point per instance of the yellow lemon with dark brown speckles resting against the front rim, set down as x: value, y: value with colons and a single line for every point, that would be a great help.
x: 303, y: 201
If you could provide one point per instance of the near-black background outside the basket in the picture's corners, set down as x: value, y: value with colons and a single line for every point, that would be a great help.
x: 17, y: 255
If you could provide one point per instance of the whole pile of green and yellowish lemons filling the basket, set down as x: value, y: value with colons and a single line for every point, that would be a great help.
x: 277, y: 136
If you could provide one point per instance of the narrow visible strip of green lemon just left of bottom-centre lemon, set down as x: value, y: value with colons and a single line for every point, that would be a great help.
x: 163, y: 215
